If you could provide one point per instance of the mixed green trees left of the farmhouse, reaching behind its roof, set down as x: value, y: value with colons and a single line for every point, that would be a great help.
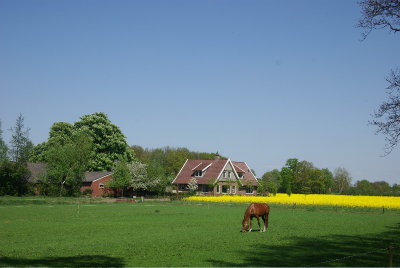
x: 92, y: 143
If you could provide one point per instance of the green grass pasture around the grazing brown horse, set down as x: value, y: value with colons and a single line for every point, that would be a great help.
x: 41, y: 233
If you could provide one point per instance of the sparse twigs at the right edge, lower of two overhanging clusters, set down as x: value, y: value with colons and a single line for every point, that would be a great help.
x: 387, y: 118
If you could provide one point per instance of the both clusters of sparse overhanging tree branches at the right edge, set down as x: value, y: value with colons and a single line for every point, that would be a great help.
x: 378, y: 14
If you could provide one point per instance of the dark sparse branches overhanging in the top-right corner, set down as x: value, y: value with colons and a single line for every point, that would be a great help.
x: 377, y: 14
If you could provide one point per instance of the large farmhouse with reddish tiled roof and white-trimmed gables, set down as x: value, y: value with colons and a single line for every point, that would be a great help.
x: 217, y: 177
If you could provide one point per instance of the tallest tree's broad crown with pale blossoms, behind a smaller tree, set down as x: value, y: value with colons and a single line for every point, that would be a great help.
x: 109, y: 144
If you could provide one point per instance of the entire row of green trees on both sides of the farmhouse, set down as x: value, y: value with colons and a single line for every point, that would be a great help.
x: 93, y: 143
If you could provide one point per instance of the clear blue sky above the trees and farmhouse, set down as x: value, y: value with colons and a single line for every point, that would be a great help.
x: 257, y: 81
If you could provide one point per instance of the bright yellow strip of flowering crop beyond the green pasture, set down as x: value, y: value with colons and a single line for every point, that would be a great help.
x: 311, y: 199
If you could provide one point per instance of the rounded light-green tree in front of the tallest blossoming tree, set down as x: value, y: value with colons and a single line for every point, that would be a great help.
x: 67, y: 163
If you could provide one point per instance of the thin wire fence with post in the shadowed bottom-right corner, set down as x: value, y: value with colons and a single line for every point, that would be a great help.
x: 390, y: 251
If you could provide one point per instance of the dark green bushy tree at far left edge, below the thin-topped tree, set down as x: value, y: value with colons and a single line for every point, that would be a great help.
x: 13, y: 178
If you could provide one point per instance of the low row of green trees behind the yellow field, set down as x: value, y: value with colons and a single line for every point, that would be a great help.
x: 302, y: 177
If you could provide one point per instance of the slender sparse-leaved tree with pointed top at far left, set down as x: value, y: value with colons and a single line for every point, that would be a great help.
x: 21, y: 145
